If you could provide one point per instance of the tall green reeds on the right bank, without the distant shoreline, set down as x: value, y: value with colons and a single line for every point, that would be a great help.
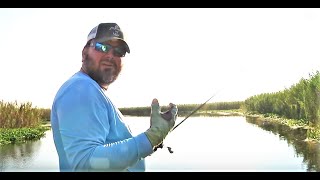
x: 296, y: 106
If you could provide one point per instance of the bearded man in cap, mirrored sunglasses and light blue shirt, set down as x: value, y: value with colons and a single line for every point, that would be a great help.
x: 88, y: 130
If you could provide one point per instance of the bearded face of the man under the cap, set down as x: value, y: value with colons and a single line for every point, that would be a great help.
x: 103, y: 67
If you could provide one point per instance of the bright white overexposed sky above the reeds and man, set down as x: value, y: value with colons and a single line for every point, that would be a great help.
x: 183, y: 56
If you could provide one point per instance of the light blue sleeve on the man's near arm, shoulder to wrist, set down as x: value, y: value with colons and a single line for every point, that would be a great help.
x: 84, y: 125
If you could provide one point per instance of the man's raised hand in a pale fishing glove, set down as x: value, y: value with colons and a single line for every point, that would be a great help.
x: 161, y: 123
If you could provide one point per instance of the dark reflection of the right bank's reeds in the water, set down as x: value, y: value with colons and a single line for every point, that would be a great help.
x: 294, y: 137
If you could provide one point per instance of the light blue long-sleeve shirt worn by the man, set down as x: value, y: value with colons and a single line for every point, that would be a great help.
x: 89, y: 133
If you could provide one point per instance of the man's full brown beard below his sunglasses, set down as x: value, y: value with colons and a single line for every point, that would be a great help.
x: 104, y: 76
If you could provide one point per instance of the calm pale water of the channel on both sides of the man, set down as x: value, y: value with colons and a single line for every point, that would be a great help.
x: 224, y: 144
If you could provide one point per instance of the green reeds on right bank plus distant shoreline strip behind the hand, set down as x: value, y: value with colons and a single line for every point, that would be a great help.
x: 298, y: 106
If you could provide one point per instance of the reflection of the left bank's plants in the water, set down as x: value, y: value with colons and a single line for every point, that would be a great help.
x: 18, y: 156
